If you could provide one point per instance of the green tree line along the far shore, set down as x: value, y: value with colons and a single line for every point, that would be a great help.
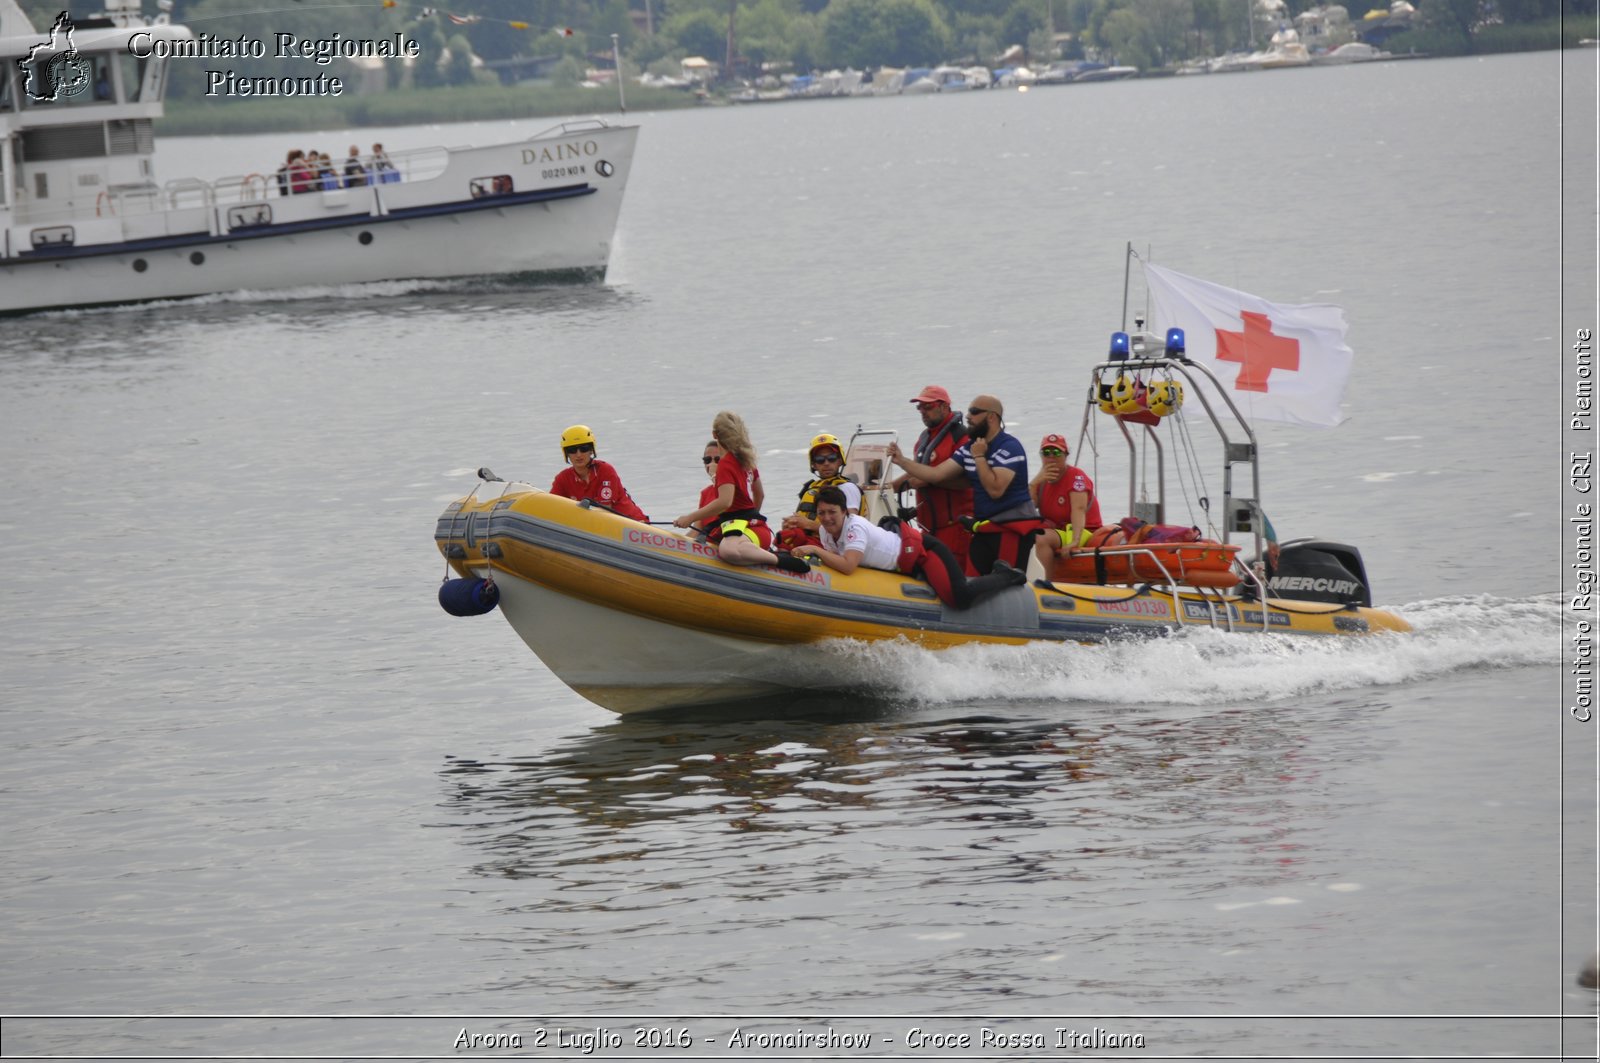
x: 817, y: 34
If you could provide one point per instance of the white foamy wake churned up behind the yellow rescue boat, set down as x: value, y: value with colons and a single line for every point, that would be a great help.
x: 1204, y: 667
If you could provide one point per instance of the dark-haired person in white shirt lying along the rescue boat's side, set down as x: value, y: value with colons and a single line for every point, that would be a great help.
x: 850, y: 542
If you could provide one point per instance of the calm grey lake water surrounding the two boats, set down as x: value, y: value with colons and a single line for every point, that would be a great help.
x: 254, y: 772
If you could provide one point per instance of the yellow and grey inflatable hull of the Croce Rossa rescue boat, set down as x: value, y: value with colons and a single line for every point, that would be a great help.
x: 639, y: 619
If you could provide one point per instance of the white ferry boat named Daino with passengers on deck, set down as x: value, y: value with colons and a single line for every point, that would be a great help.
x: 84, y: 220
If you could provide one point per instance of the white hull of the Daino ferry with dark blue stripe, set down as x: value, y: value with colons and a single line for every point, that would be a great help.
x: 558, y: 219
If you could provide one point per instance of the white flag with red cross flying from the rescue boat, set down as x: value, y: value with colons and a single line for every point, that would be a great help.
x: 1278, y: 361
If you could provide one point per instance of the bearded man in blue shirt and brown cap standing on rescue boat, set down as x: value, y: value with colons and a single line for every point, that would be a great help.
x: 996, y: 465
